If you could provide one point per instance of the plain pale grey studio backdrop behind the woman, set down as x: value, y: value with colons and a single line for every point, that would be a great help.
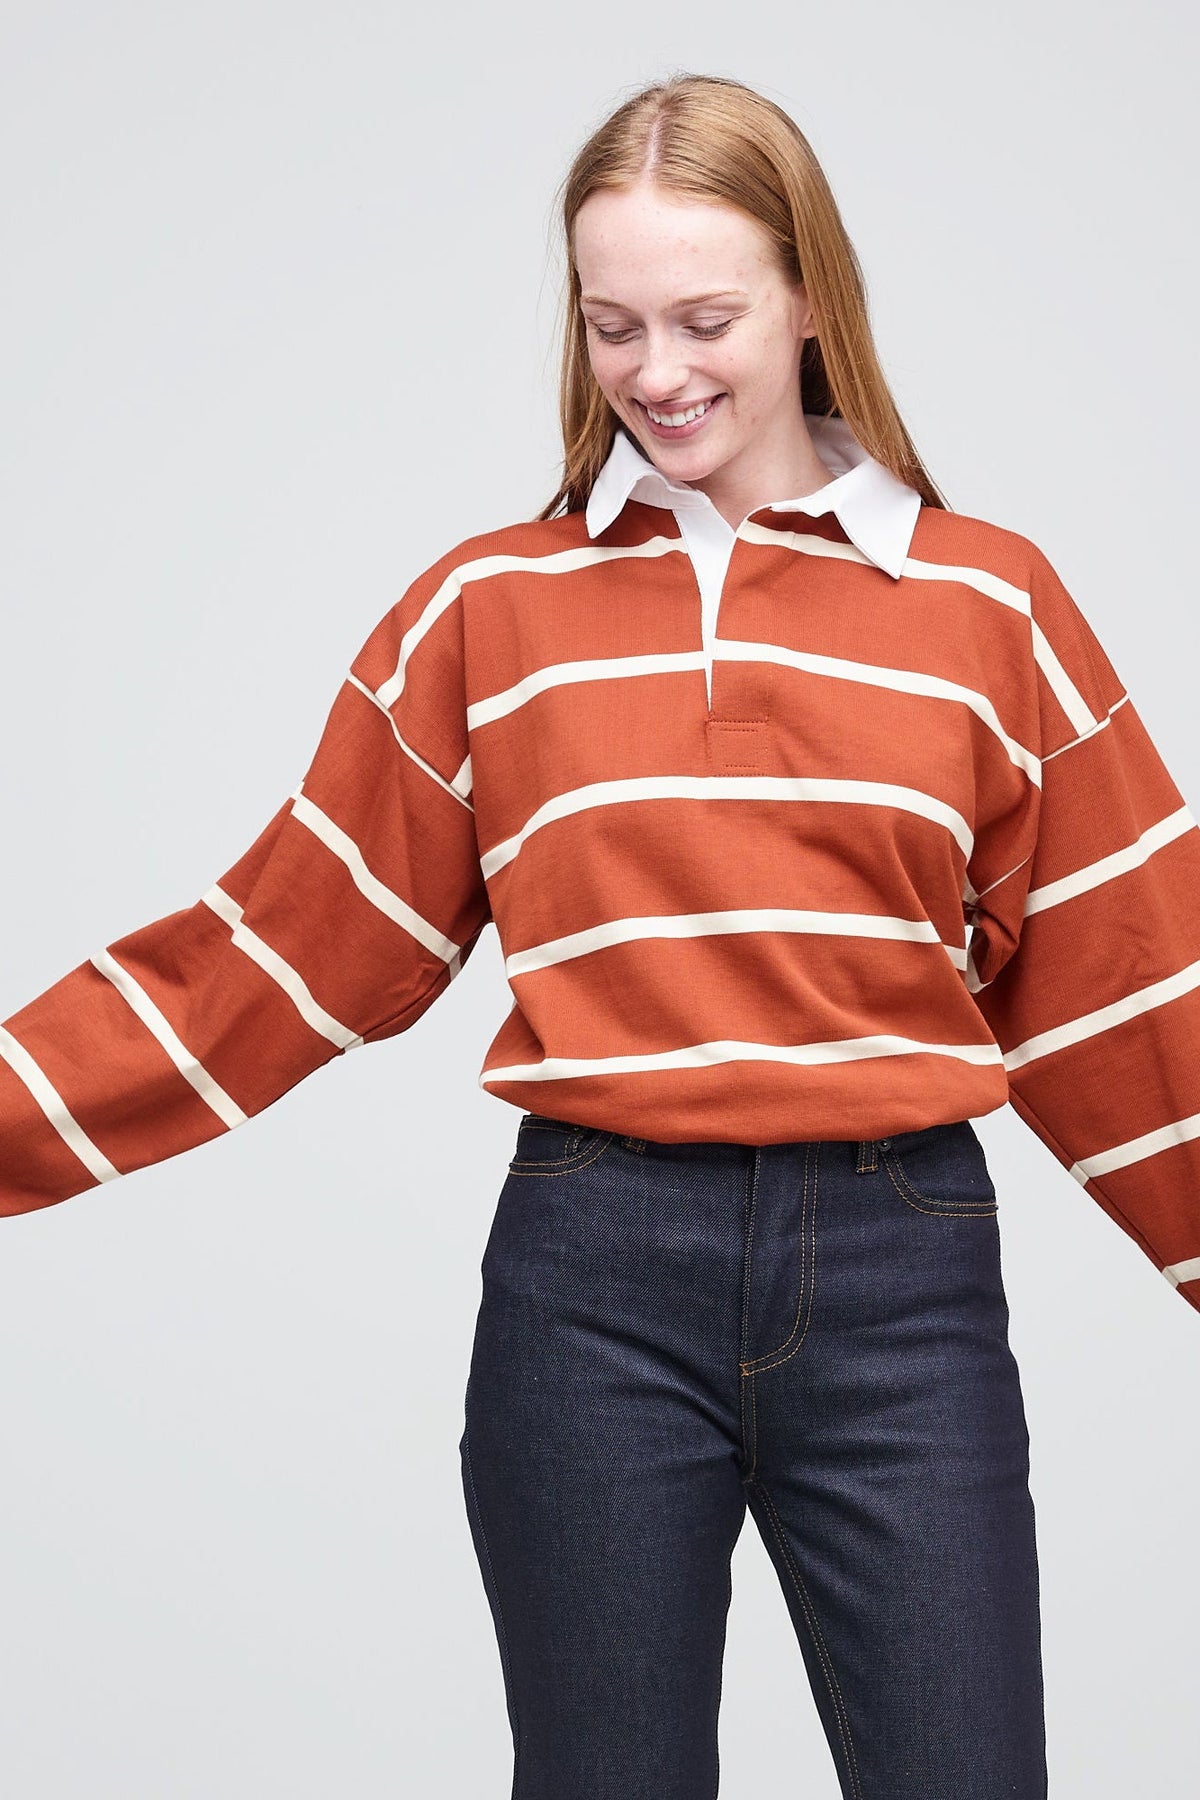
x: 276, y: 330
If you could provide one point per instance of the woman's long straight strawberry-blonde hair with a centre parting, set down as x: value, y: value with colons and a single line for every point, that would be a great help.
x: 710, y: 138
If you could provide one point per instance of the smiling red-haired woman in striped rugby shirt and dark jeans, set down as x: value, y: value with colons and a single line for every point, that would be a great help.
x: 814, y: 823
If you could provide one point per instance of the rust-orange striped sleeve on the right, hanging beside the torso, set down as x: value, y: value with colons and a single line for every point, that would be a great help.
x: 1086, y: 957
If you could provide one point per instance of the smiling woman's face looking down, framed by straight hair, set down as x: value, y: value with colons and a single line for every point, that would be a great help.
x: 695, y: 337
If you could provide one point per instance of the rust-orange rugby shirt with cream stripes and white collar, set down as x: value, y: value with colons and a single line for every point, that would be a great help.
x: 836, y: 825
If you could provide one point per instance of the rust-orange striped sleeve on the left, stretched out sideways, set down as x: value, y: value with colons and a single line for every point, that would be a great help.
x: 341, y: 924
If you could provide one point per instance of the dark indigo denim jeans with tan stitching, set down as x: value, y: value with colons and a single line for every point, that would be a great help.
x: 676, y: 1331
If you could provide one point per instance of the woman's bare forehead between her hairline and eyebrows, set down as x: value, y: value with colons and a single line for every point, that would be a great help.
x: 654, y: 244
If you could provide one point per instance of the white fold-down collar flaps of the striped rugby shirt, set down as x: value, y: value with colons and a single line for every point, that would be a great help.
x: 875, y: 508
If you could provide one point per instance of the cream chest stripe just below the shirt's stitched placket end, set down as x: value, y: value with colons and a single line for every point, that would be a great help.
x: 731, y: 787
